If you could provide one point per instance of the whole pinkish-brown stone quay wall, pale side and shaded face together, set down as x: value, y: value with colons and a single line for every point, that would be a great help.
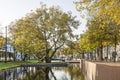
x: 101, y: 70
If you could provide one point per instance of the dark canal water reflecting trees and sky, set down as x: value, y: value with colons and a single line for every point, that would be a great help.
x: 71, y: 72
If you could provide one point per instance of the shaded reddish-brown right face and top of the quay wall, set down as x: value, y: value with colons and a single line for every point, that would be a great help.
x: 108, y: 71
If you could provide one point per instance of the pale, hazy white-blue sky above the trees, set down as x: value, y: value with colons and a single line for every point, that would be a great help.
x: 10, y: 10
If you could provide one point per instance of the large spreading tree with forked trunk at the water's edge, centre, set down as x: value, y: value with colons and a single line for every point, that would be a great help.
x: 50, y: 27
